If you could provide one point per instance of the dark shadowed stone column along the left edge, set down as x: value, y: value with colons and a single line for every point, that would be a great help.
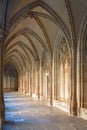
x: 2, y: 109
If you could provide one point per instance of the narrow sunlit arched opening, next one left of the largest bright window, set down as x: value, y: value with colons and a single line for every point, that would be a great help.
x: 45, y: 64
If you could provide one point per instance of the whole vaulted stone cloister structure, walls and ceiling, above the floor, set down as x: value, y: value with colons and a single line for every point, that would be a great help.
x: 43, y: 52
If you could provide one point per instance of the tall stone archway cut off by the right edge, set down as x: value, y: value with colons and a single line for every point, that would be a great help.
x: 82, y: 69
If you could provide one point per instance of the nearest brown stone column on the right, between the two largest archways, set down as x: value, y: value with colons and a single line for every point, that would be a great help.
x: 73, y: 99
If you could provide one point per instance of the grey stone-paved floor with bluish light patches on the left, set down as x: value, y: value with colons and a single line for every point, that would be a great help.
x: 24, y: 113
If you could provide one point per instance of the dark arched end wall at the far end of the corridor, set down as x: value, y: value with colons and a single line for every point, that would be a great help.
x: 10, y: 78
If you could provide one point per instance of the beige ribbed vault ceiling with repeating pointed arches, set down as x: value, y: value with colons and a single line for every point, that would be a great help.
x: 33, y: 27
